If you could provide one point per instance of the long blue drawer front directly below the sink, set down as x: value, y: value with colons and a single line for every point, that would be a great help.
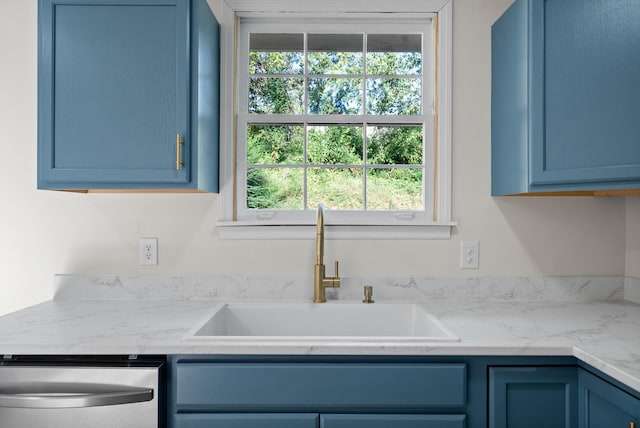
x: 314, y: 387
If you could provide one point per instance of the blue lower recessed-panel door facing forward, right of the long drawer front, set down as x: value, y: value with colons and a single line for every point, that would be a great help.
x: 533, y: 397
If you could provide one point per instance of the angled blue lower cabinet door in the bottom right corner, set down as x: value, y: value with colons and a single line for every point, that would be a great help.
x: 602, y: 405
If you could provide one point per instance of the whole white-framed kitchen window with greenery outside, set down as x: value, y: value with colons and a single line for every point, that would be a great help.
x: 350, y: 112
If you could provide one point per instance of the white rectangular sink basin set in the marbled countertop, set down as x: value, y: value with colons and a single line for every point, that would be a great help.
x: 326, y: 321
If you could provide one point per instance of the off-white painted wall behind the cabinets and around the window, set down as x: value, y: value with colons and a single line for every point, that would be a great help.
x: 43, y: 233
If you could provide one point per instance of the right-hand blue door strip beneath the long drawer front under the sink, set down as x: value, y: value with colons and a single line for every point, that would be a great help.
x: 392, y: 421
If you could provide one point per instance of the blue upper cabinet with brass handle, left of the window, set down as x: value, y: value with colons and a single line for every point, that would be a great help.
x: 128, y: 95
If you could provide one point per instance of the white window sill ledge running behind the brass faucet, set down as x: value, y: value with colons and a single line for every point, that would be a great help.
x: 256, y: 230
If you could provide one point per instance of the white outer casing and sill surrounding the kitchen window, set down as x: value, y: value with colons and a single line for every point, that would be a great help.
x: 440, y: 226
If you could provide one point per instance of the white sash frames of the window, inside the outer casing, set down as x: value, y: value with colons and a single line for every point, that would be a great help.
x: 357, y: 26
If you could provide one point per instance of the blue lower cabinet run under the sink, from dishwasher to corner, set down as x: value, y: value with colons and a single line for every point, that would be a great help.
x: 209, y: 391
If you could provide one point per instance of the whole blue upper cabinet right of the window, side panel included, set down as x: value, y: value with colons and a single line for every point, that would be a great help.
x: 566, y: 96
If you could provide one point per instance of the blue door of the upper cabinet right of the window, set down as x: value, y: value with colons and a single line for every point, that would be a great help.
x: 586, y: 85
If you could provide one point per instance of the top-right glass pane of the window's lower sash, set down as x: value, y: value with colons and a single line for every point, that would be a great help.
x: 394, y: 145
